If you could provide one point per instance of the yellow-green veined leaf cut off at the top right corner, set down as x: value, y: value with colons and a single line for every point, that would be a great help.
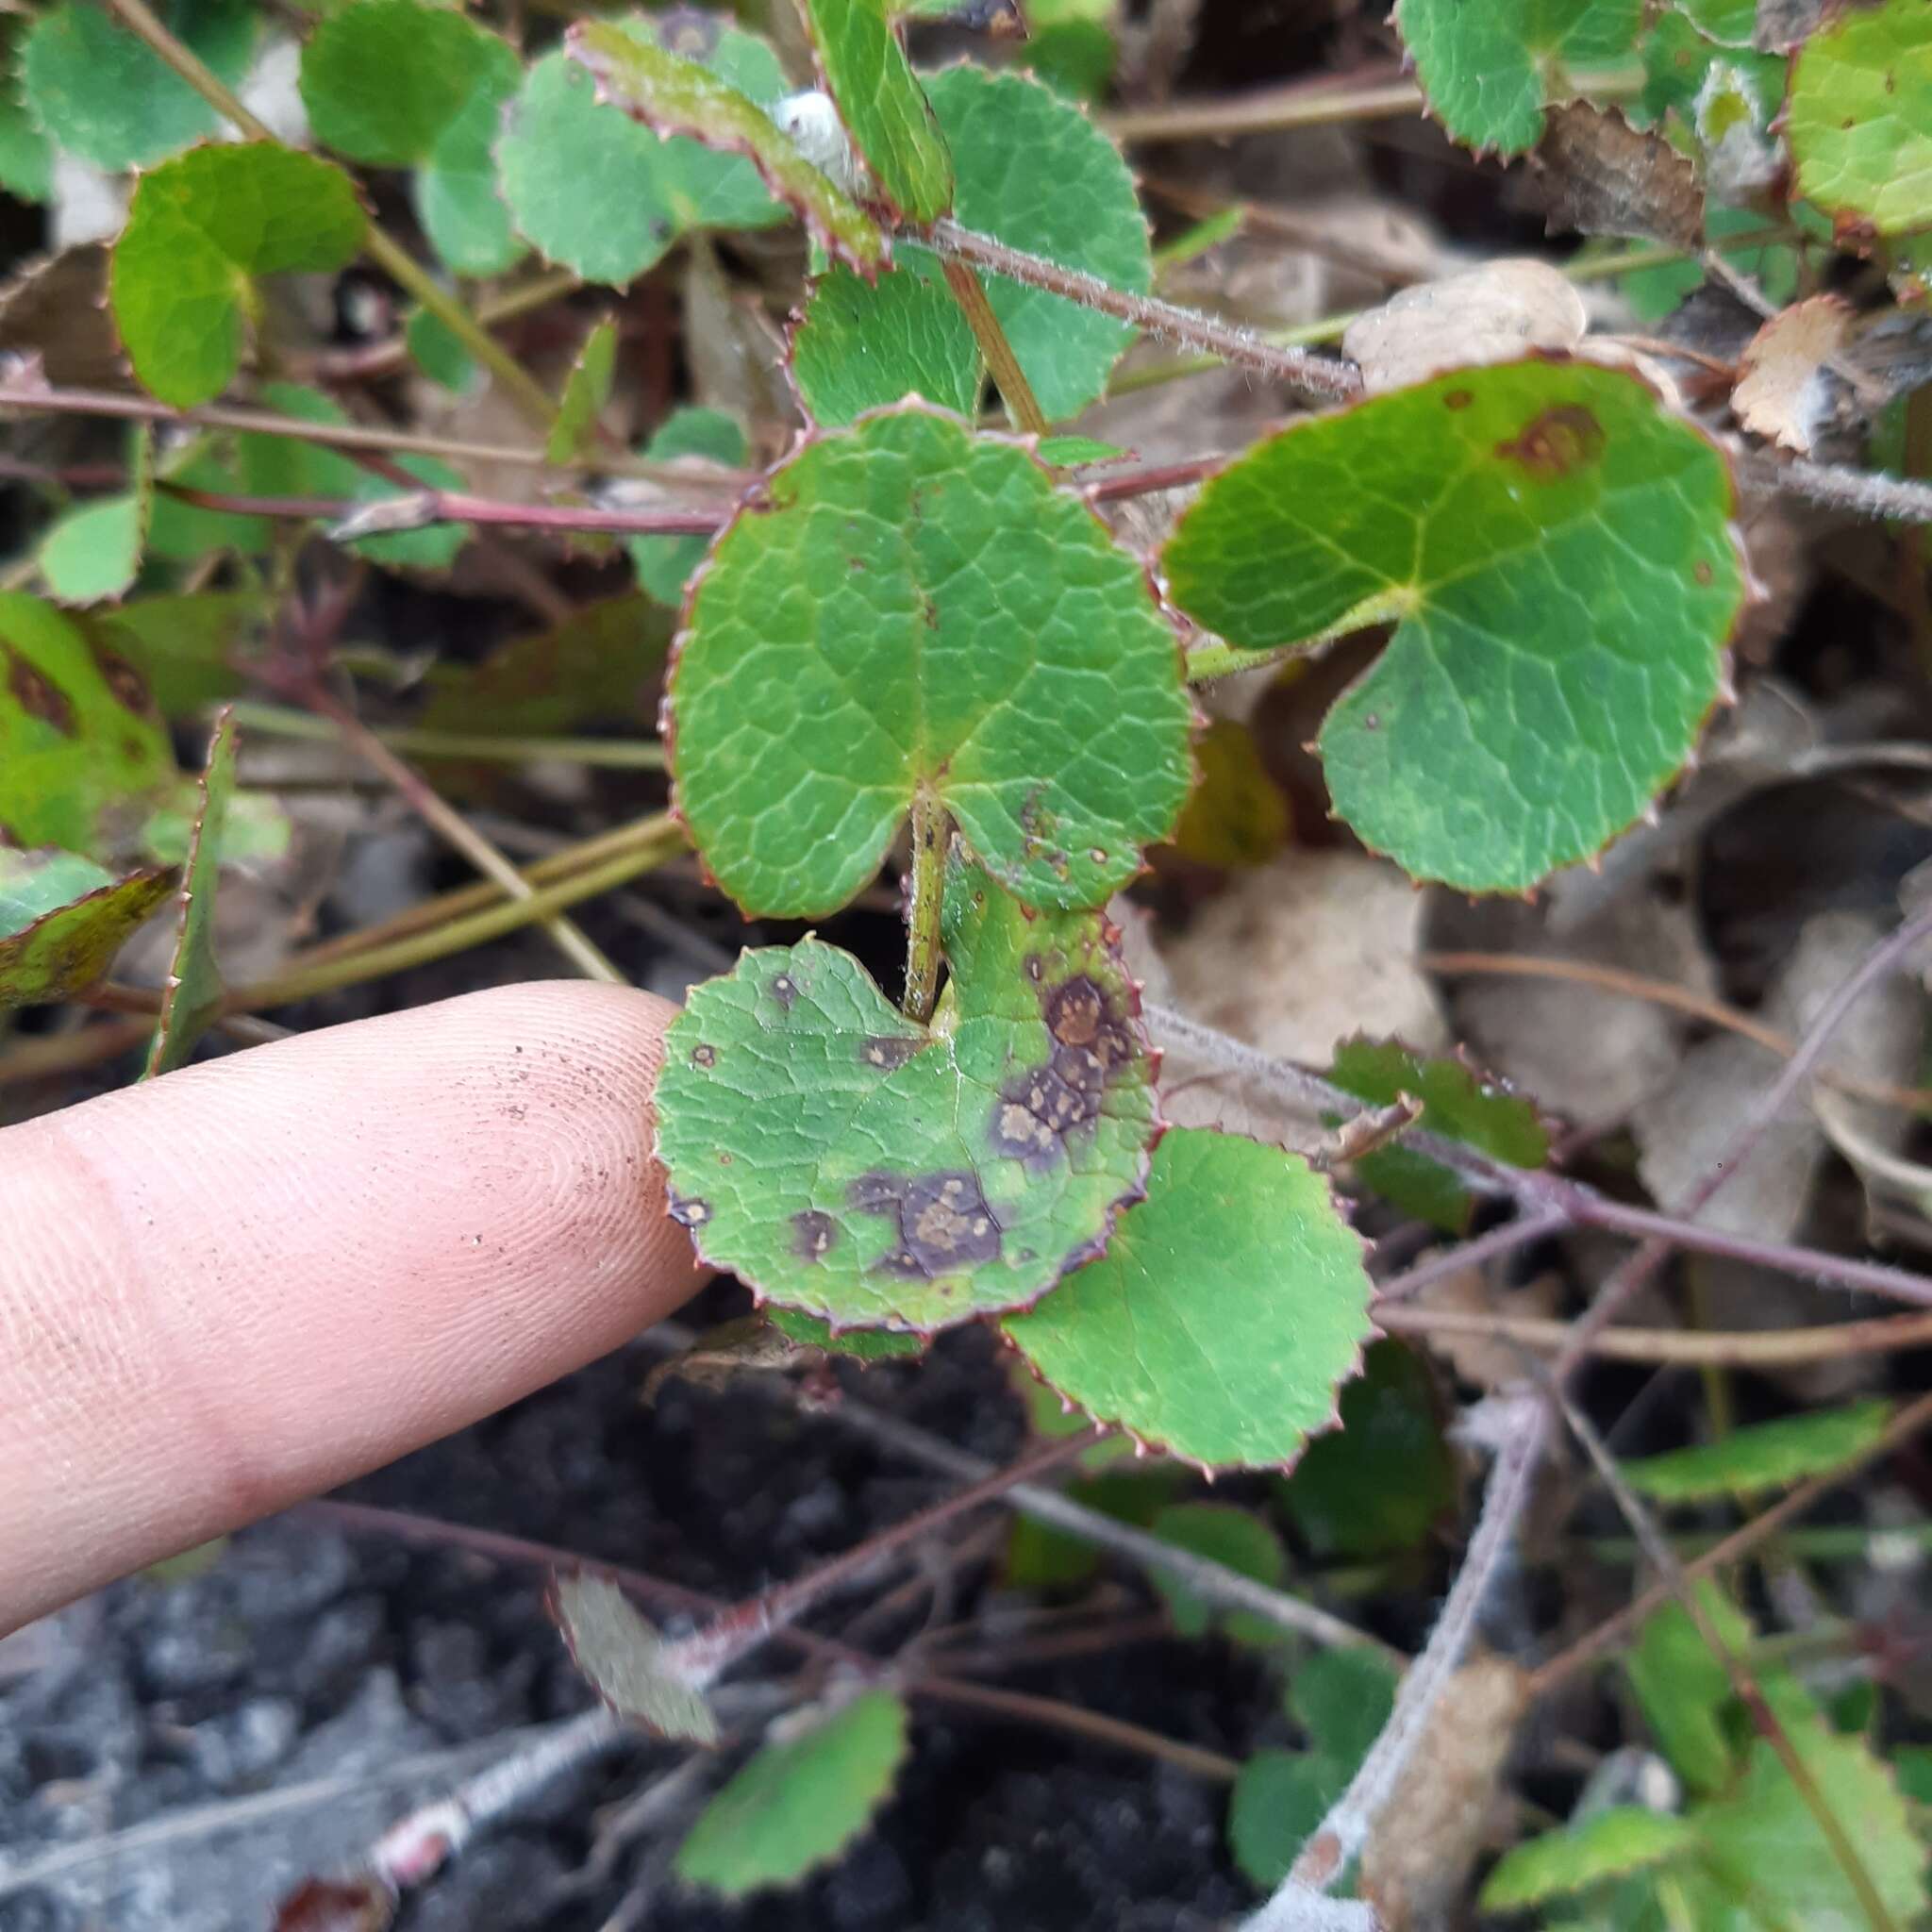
x: 1860, y: 119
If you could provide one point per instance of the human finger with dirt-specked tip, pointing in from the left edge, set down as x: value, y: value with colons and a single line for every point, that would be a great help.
x: 252, y: 1280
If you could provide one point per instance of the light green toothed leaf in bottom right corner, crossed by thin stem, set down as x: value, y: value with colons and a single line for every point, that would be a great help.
x: 1767, y: 1842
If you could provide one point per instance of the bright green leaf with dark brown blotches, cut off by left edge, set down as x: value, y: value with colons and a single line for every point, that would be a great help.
x: 82, y: 751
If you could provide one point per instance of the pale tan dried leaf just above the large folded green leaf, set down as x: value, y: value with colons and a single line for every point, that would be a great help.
x: 1487, y: 316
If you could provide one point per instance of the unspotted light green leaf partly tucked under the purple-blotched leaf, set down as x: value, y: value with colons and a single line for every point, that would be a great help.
x: 1178, y: 1334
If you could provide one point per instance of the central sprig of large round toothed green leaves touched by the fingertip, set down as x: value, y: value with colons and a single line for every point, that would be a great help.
x: 921, y: 629
